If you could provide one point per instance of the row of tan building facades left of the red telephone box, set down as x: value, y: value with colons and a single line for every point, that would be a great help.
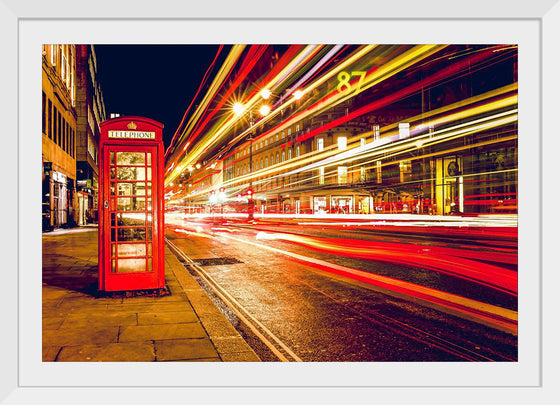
x: 72, y: 108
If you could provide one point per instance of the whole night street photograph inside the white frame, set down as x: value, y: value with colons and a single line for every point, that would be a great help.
x: 294, y: 203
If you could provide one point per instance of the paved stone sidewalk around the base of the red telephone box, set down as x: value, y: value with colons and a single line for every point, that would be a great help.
x: 78, y: 325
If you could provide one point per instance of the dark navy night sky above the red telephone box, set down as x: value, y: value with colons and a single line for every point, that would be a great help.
x: 154, y: 81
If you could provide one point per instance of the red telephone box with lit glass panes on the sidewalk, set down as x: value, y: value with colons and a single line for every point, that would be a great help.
x: 131, y: 246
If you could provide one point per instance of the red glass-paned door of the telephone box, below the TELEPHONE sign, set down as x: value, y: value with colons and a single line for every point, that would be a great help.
x: 130, y: 220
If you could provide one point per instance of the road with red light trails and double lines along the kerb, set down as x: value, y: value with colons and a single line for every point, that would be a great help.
x: 332, y: 292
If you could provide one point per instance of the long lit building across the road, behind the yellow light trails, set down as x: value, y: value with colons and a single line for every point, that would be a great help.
x: 438, y: 137
